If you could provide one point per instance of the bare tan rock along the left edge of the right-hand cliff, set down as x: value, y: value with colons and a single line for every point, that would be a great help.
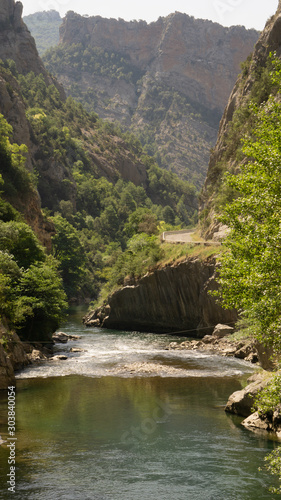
x: 224, y: 156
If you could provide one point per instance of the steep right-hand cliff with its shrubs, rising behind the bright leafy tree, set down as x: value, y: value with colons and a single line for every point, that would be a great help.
x: 236, y: 121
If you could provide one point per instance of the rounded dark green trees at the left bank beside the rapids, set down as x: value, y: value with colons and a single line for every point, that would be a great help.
x: 31, y: 293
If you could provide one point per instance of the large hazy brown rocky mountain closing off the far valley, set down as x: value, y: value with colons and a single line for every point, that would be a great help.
x: 183, y: 71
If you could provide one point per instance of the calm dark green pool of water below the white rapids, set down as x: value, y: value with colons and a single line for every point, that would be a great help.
x: 127, y: 438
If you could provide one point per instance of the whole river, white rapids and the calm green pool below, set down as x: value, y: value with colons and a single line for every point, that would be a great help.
x: 126, y: 419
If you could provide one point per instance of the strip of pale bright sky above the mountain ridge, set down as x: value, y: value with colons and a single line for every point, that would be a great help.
x: 249, y: 13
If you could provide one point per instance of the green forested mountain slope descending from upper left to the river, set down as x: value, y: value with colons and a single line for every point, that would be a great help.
x: 98, y: 187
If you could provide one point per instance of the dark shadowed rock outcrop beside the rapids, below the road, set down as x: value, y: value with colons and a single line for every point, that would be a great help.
x: 173, y: 299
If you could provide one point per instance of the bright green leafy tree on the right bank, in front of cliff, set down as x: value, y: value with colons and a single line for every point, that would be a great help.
x: 250, y: 271
